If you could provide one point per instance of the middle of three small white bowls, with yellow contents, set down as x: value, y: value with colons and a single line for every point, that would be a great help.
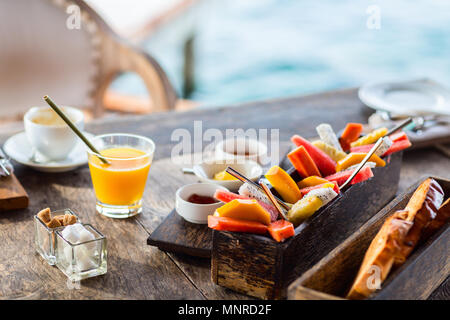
x: 205, y: 171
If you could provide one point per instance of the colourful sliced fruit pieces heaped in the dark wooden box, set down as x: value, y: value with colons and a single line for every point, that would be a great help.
x: 320, y: 170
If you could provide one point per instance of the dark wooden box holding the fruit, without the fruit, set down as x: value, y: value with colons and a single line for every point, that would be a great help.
x: 260, y: 267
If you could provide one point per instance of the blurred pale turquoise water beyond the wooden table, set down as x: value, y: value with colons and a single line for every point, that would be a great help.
x: 262, y: 49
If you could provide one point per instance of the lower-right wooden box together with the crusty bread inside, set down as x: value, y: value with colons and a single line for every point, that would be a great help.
x: 401, y: 253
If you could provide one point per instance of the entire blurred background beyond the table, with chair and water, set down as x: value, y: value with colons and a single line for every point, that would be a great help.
x: 209, y: 53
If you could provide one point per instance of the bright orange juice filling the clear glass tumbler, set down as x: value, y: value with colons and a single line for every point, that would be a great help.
x: 121, y: 182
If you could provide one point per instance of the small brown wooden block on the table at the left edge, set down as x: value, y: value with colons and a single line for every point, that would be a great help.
x: 12, y: 194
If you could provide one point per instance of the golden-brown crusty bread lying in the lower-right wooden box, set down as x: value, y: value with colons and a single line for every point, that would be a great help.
x: 400, y: 234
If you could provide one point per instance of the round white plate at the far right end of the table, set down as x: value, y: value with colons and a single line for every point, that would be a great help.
x: 413, y: 98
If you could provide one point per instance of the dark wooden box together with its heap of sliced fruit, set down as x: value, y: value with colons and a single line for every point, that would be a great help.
x: 270, y: 232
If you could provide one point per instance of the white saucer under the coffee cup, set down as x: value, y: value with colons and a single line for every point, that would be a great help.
x: 19, y: 149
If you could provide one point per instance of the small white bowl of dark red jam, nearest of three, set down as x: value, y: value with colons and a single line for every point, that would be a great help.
x: 193, y: 212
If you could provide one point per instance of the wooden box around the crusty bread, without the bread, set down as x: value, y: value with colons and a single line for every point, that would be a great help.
x: 424, y: 270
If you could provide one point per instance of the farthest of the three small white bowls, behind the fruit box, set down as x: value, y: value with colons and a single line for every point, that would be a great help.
x: 241, y: 148
